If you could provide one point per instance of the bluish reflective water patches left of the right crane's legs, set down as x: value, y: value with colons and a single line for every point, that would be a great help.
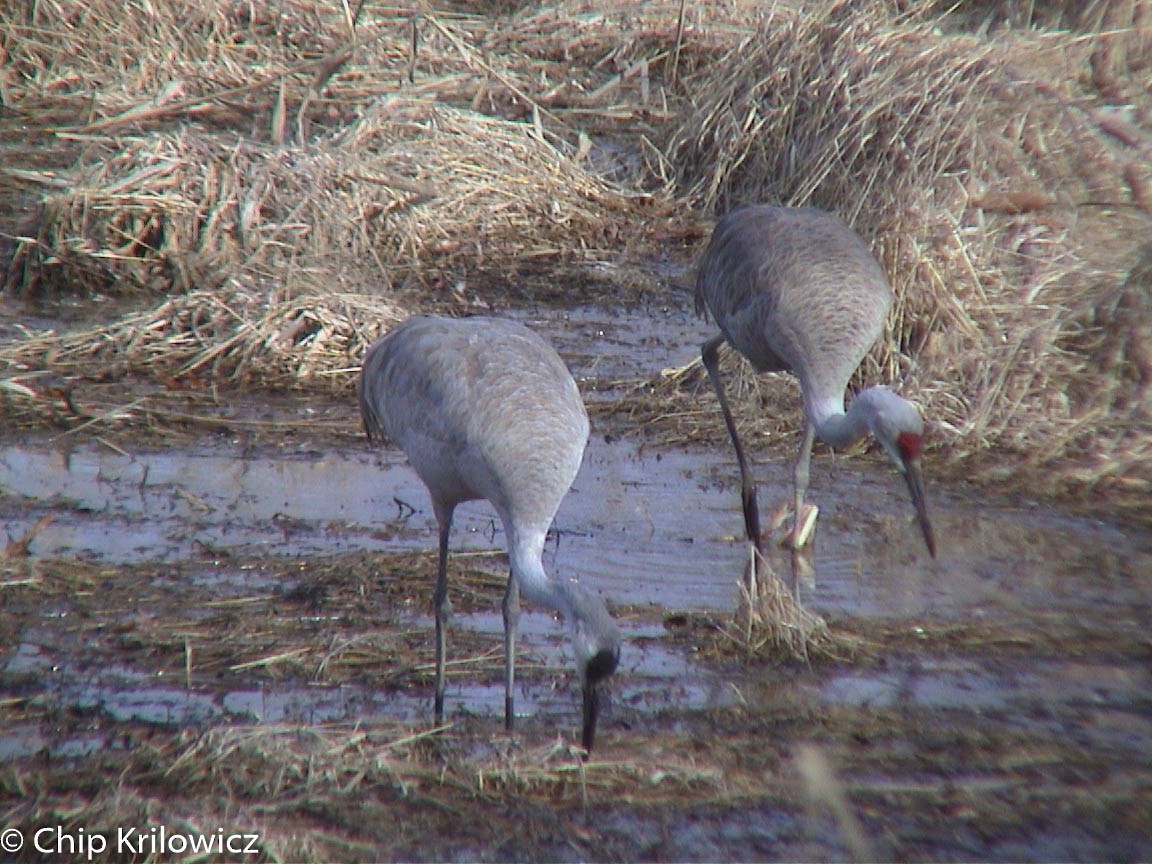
x: 624, y: 530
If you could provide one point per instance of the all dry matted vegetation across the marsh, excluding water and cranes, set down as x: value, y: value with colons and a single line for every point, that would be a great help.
x: 239, y: 196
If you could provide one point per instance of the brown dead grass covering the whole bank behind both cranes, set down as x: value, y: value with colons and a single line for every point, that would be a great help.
x: 281, y: 184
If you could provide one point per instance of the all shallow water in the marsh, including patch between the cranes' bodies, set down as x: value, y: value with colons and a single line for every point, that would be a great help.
x: 653, y: 529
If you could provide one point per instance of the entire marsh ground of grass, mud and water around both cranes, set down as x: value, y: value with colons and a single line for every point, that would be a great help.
x: 214, y: 596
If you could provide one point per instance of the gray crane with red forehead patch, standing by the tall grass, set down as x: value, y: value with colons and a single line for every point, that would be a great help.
x: 797, y: 290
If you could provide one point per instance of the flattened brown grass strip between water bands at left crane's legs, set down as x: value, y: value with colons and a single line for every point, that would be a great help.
x: 335, y: 622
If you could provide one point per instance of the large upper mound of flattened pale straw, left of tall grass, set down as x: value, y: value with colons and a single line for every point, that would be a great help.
x: 414, y: 188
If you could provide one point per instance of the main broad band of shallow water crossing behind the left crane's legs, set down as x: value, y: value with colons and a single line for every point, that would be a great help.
x: 641, y: 526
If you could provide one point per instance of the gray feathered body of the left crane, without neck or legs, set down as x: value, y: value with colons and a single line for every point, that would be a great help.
x: 484, y: 408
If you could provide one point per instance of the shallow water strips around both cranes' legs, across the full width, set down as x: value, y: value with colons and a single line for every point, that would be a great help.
x: 642, y: 527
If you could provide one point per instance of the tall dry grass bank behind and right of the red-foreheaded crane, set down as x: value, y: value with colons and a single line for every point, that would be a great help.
x: 1006, y: 204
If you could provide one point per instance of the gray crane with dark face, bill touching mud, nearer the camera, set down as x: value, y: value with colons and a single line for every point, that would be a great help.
x: 486, y: 410
